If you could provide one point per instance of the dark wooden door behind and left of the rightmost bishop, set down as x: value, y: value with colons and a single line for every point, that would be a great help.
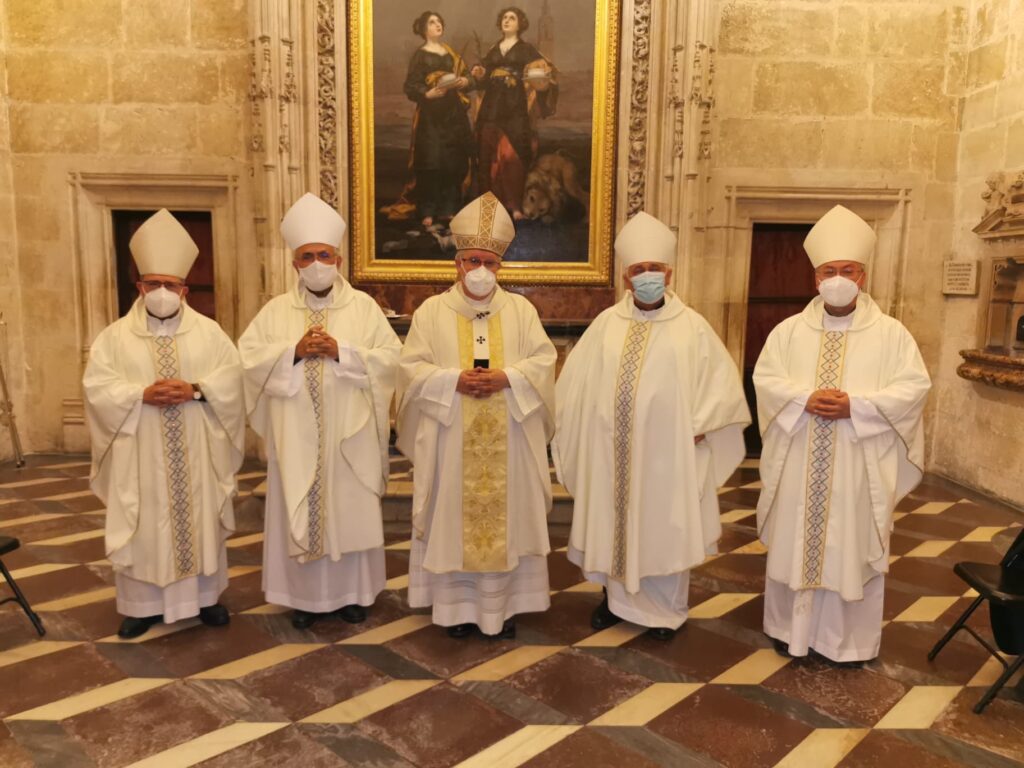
x: 782, y: 285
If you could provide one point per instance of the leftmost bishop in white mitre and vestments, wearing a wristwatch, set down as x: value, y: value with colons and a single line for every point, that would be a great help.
x: 163, y: 397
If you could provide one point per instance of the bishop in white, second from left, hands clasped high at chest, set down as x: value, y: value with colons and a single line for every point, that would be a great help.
x: 320, y: 366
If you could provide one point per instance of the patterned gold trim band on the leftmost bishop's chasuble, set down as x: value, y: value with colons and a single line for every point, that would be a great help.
x: 177, y: 465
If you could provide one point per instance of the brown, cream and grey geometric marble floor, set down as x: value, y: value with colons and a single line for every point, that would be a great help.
x: 398, y: 692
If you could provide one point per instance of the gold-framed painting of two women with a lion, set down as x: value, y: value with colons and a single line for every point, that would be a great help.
x: 452, y: 99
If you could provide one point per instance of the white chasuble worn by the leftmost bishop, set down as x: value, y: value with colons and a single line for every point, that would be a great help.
x: 166, y: 475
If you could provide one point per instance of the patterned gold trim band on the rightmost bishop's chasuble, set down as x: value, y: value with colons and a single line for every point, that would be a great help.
x: 822, y: 461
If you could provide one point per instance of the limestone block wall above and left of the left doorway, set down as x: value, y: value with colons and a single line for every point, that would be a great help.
x: 102, y: 87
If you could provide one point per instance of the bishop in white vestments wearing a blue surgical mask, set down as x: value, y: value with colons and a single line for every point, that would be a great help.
x: 650, y: 423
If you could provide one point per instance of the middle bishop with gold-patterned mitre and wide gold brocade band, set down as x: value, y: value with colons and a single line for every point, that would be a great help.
x: 476, y: 414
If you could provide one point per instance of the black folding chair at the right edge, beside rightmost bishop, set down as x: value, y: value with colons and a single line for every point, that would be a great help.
x: 1003, y: 586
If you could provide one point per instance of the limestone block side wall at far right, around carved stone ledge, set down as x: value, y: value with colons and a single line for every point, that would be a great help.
x: 978, y: 438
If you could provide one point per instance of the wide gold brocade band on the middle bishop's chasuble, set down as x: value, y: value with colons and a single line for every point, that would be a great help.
x: 485, y: 462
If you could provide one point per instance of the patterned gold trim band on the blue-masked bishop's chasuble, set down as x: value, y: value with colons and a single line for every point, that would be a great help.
x: 626, y: 400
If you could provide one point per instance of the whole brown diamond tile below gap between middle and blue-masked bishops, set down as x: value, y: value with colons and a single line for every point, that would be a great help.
x: 578, y: 685
